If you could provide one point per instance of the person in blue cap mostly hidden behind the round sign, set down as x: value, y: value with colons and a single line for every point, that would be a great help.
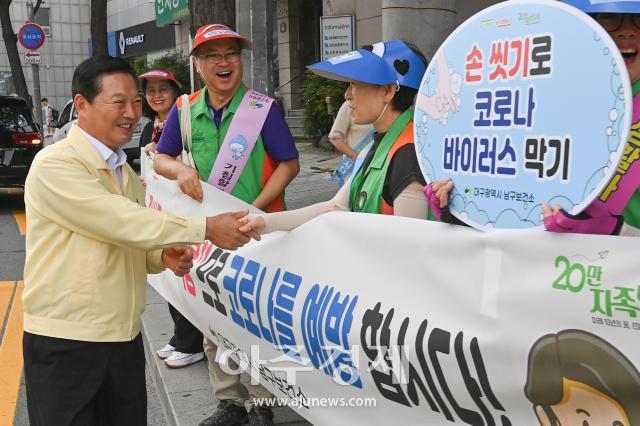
x: 621, y: 19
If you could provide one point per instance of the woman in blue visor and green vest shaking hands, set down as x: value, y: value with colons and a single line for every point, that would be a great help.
x: 383, y: 82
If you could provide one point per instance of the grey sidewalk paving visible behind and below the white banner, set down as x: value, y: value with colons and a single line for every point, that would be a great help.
x: 186, y: 394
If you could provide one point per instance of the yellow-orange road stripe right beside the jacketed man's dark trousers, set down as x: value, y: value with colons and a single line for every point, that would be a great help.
x: 11, y: 360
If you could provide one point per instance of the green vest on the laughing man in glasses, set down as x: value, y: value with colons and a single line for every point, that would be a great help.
x: 207, y: 139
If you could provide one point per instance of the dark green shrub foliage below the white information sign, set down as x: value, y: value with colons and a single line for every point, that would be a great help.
x: 315, y: 90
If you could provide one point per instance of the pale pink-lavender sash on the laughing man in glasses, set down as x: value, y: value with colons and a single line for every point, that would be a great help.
x: 240, y: 139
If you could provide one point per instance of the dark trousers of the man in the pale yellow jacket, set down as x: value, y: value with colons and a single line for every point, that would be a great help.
x: 71, y: 382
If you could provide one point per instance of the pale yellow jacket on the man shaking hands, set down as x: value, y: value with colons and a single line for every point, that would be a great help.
x: 89, y: 247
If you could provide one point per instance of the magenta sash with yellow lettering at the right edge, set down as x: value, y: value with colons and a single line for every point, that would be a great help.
x: 626, y: 180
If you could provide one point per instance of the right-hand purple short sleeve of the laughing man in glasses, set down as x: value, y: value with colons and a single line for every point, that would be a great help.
x: 276, y: 136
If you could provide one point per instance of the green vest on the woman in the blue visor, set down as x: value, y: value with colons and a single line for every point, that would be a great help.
x: 365, y: 194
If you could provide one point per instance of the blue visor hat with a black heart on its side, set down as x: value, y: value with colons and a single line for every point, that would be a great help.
x: 389, y: 62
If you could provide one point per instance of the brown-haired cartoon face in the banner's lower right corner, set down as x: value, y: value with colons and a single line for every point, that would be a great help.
x: 575, y: 377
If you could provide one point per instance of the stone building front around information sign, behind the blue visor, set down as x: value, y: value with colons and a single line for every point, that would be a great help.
x: 426, y: 23
